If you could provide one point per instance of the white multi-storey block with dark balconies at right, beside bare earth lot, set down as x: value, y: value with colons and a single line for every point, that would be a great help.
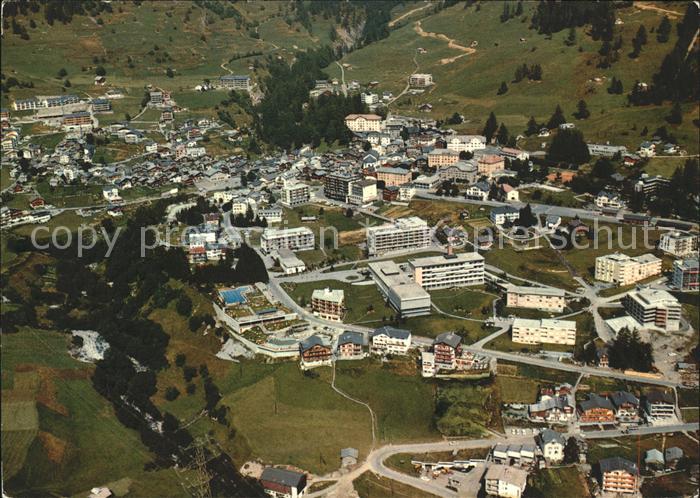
x: 653, y: 308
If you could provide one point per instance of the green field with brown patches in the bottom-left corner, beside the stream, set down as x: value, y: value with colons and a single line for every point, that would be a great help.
x: 52, y: 418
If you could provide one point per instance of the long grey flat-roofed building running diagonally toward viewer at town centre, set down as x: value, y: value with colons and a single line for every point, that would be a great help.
x: 404, y: 295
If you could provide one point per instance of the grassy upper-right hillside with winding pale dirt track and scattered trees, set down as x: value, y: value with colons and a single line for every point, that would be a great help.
x: 467, y: 82
